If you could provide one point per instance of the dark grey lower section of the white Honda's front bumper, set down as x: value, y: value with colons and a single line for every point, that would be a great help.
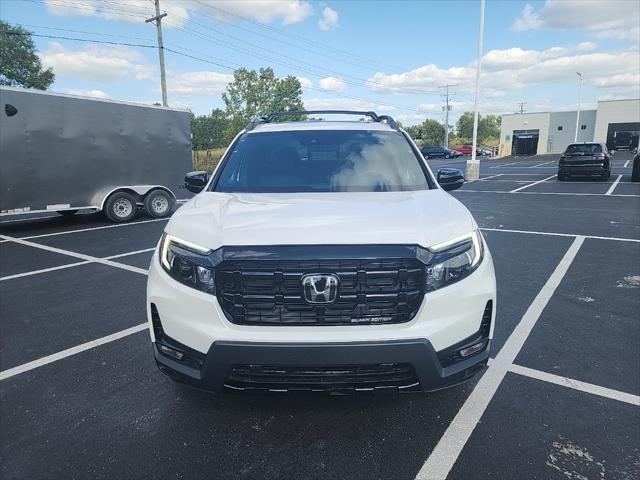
x: 335, y: 367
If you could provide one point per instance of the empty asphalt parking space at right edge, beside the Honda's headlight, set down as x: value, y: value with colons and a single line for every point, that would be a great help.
x: 598, y: 337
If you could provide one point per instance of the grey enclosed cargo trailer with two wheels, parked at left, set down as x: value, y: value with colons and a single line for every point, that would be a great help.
x: 66, y: 153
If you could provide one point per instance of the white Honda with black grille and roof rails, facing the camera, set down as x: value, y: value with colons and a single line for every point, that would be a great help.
x: 322, y: 255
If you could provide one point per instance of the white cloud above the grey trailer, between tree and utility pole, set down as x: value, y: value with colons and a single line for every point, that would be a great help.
x: 98, y: 63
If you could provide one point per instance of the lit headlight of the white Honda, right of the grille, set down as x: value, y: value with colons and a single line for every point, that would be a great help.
x: 454, y: 260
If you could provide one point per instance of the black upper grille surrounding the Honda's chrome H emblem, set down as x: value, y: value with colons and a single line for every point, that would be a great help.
x: 269, y: 292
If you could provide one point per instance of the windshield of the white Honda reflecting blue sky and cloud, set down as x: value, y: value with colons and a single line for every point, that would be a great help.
x: 322, y: 161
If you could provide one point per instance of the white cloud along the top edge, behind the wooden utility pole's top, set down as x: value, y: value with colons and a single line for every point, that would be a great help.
x: 267, y: 11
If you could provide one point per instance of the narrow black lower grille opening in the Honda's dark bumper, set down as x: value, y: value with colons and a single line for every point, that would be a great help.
x: 326, y: 378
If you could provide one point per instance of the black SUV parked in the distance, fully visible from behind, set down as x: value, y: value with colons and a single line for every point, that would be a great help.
x: 585, y: 159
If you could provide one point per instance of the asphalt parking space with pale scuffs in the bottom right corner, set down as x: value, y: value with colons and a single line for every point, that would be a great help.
x: 535, y: 429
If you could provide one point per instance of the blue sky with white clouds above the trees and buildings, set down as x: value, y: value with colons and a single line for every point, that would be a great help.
x: 389, y: 56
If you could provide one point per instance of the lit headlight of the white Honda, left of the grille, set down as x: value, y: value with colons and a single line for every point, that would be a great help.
x: 187, y: 263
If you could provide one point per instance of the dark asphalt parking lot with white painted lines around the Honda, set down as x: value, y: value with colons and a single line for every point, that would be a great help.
x: 81, y: 396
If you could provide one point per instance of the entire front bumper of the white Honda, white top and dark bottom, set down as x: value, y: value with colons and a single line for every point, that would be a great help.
x: 449, y: 319
